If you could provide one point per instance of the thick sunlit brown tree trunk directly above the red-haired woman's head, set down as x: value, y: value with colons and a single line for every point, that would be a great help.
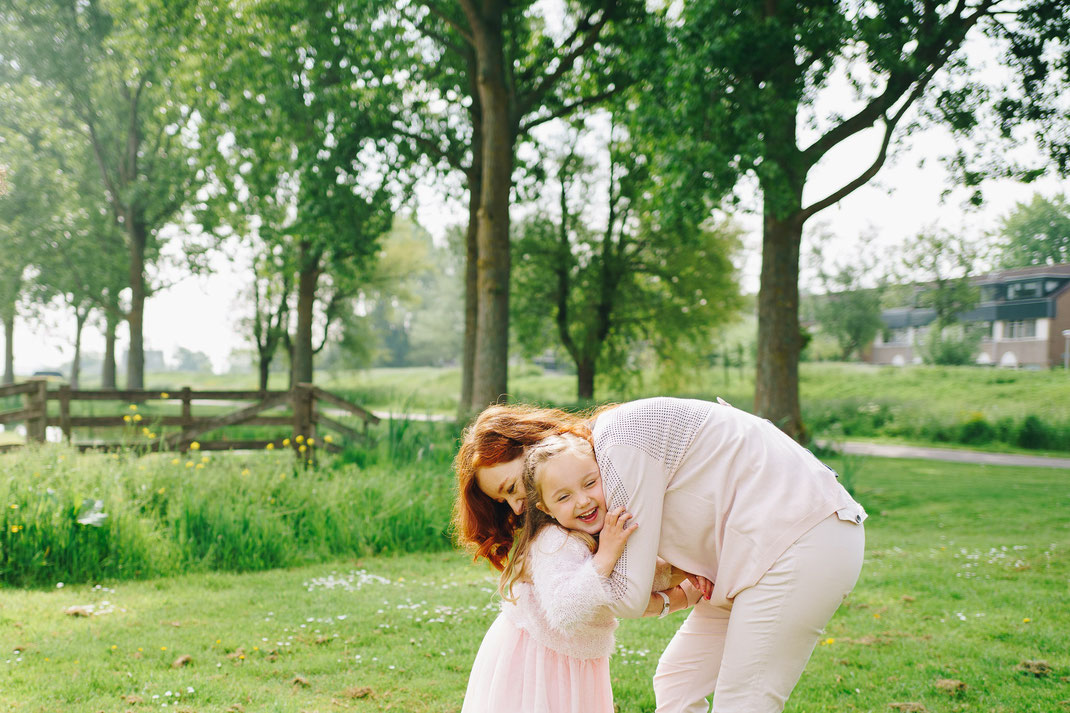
x: 491, y: 366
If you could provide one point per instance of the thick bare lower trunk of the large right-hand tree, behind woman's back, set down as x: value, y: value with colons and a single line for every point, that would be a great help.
x: 779, y: 341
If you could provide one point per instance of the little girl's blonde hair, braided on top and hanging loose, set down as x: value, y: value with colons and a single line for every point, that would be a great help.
x: 537, y: 459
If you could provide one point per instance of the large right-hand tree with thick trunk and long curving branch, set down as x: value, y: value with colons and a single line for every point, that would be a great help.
x: 744, y: 94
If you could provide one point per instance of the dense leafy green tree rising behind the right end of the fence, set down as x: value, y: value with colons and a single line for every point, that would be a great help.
x: 291, y: 146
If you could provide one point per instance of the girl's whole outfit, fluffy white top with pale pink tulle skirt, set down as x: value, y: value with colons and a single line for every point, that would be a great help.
x: 549, y: 651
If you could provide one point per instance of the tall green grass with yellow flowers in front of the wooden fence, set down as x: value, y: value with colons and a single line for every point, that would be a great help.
x: 170, y: 513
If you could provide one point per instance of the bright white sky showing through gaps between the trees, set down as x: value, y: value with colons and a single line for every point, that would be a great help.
x: 204, y: 313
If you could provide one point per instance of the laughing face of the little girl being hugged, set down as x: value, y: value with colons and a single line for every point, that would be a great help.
x: 571, y: 492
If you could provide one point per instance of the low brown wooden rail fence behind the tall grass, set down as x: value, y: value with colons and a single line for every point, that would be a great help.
x: 305, y: 419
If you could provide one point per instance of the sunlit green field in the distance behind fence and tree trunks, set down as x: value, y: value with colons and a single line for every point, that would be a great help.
x: 969, y: 406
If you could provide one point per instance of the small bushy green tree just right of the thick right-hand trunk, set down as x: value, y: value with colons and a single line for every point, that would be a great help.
x: 850, y: 309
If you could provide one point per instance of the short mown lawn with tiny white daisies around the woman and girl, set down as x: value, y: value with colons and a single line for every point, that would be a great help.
x: 961, y: 608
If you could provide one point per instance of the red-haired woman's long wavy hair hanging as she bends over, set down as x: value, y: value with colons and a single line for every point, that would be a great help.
x: 482, y: 525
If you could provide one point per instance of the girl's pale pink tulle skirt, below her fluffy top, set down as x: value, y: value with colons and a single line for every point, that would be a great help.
x: 515, y: 674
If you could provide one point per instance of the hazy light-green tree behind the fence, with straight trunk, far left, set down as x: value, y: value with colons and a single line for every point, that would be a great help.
x: 112, y: 72
